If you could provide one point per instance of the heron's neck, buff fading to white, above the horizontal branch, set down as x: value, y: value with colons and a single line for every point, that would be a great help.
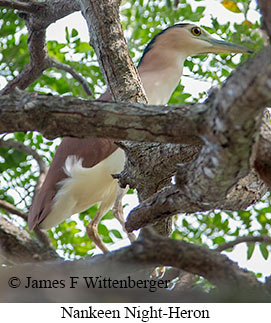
x: 160, y: 72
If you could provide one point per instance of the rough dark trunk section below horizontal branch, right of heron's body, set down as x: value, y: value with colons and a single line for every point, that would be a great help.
x: 161, y: 164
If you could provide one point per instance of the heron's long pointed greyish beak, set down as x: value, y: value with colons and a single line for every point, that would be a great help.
x: 221, y: 46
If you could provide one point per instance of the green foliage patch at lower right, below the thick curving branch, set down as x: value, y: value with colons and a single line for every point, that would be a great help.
x: 217, y: 227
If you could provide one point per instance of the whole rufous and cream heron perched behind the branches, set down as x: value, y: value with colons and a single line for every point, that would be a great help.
x: 80, y: 173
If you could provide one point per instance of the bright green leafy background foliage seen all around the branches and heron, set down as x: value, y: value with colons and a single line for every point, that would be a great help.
x: 141, y: 20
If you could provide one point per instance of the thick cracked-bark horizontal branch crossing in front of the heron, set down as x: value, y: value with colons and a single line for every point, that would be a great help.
x: 62, y: 116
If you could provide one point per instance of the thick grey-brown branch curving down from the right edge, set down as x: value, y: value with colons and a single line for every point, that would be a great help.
x: 229, y: 132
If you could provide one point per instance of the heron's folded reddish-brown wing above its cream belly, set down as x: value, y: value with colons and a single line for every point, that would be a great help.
x: 90, y: 150
